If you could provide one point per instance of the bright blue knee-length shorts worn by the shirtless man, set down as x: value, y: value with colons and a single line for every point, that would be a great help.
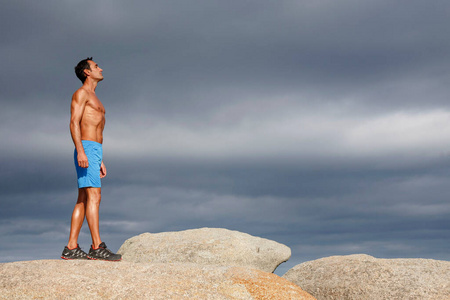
x: 90, y: 176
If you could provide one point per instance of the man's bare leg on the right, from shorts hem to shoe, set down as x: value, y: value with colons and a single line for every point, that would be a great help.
x: 94, y: 196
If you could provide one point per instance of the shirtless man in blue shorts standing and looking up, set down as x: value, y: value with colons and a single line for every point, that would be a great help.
x: 86, y: 127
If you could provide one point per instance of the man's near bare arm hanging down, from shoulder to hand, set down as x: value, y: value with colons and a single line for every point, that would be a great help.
x: 79, y: 100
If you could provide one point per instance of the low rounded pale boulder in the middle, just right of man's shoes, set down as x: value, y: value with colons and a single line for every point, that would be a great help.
x: 206, y: 246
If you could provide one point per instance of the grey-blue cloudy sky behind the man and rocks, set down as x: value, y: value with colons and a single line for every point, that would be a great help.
x: 322, y: 125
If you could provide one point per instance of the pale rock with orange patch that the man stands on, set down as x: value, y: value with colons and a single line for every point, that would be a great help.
x: 59, y: 279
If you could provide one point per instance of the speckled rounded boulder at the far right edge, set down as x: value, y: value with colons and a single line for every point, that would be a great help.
x: 366, y: 277
